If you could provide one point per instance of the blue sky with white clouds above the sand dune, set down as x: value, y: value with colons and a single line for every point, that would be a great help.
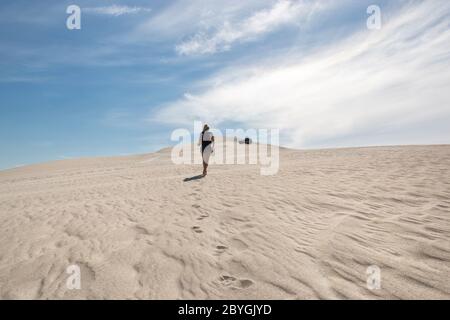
x: 137, y: 70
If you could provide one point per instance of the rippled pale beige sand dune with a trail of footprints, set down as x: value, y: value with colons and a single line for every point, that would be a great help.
x: 137, y: 230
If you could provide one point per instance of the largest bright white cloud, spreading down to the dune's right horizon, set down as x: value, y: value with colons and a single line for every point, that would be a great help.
x: 375, y: 84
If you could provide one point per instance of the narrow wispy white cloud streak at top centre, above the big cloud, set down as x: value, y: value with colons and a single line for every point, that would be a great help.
x: 283, y: 12
